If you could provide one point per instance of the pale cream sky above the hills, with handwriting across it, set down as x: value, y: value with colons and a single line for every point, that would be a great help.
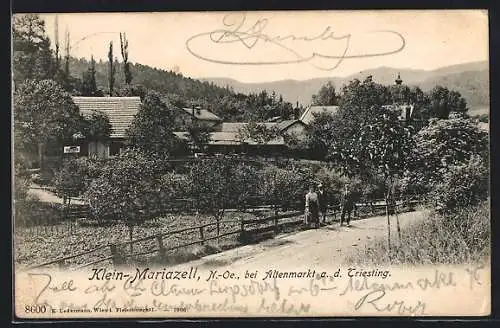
x: 270, y: 46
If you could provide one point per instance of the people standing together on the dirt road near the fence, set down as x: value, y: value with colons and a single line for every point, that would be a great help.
x: 317, y: 203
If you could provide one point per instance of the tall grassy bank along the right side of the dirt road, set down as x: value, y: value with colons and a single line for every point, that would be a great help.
x: 455, y: 239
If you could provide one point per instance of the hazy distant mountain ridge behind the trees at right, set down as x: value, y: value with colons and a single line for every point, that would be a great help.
x: 470, y: 79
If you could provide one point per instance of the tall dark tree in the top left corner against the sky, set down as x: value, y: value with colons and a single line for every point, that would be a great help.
x: 31, y: 57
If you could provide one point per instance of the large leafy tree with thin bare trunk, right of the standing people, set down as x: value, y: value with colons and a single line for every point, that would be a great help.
x: 370, y: 141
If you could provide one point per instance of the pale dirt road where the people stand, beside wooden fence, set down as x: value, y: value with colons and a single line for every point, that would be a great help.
x: 329, y: 244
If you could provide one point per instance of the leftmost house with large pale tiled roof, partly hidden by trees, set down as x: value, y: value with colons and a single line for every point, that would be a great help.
x: 120, y: 111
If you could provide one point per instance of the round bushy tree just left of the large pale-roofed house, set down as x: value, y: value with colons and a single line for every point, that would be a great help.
x: 45, y: 114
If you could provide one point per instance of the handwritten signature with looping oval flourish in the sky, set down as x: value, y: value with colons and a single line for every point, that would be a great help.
x: 237, y: 31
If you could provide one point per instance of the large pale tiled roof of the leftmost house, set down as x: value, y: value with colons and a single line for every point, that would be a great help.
x: 120, y: 111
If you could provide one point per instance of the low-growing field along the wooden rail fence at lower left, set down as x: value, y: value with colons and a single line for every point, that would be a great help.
x: 33, y: 249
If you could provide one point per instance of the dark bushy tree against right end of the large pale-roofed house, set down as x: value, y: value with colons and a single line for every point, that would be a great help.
x: 152, y: 128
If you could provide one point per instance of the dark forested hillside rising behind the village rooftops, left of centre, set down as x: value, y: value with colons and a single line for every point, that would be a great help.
x: 185, y: 91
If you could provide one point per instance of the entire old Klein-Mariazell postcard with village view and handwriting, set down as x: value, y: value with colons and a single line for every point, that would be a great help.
x: 251, y: 164
